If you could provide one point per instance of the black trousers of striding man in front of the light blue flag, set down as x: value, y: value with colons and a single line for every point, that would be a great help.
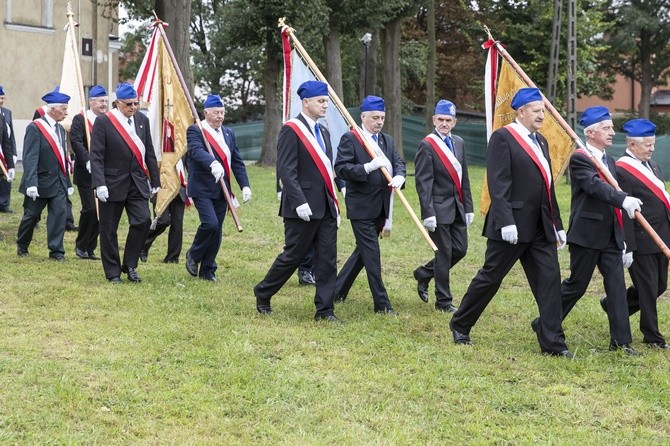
x: 299, y: 237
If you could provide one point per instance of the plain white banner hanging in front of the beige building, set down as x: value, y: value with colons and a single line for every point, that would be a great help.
x: 70, y: 81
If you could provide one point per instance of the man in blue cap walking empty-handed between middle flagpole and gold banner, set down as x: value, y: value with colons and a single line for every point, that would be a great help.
x: 443, y: 187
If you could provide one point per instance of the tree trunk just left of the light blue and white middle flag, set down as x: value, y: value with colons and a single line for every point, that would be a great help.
x: 273, y: 106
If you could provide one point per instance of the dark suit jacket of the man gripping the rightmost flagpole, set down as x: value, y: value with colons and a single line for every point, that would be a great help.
x: 592, y: 215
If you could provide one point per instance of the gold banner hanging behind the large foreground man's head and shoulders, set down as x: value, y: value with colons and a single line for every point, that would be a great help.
x: 560, y: 143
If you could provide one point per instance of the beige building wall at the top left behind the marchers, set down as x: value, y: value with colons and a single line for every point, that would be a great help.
x: 32, y: 42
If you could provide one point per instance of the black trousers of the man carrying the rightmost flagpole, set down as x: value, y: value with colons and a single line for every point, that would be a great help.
x: 583, y: 262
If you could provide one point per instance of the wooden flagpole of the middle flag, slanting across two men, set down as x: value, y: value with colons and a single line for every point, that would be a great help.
x: 354, y: 127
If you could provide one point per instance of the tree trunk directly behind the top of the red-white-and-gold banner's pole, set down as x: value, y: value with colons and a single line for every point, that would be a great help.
x: 178, y: 14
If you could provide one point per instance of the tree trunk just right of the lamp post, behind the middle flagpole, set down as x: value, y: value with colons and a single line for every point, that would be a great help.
x: 390, y: 39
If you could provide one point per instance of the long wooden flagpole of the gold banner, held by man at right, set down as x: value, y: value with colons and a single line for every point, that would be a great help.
x: 604, y: 172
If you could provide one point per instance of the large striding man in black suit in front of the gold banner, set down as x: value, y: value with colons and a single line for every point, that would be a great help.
x: 523, y: 223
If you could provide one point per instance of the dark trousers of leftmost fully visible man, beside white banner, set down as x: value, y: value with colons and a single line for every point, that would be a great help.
x: 56, y: 214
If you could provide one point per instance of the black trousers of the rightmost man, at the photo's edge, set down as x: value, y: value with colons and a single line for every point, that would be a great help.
x: 649, y: 273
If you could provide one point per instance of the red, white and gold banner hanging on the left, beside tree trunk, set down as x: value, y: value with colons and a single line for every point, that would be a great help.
x: 169, y: 113
